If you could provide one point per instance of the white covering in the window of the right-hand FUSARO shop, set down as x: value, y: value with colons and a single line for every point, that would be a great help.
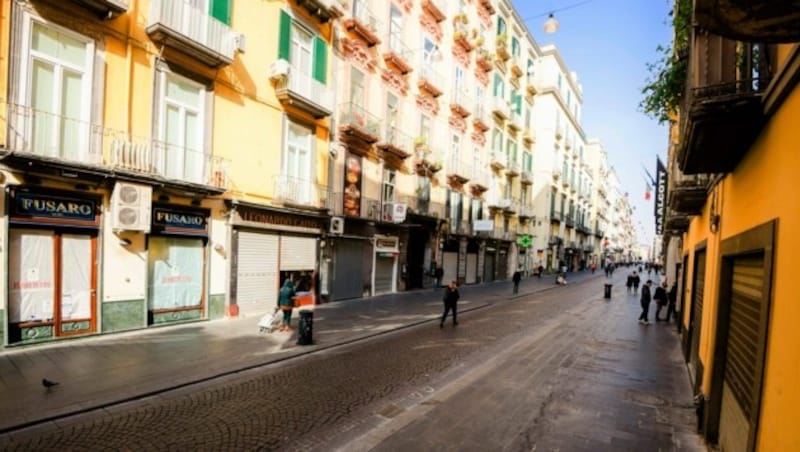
x: 176, y: 272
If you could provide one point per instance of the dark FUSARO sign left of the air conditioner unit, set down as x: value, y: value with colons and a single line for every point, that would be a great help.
x: 53, y: 207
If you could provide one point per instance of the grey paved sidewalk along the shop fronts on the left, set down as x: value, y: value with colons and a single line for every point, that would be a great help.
x: 102, y: 371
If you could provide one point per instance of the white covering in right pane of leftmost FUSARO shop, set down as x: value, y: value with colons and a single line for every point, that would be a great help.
x: 76, y: 278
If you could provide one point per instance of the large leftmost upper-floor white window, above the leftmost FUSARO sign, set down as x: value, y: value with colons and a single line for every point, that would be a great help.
x: 57, y: 74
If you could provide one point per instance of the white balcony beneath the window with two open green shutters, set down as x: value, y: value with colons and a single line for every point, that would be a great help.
x: 305, y: 93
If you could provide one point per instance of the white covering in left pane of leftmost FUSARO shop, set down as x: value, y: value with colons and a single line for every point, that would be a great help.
x: 31, y: 276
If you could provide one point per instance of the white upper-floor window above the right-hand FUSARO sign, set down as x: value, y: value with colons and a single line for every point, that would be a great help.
x: 181, y: 128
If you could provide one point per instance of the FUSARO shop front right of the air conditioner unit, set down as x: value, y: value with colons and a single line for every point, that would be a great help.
x: 176, y: 264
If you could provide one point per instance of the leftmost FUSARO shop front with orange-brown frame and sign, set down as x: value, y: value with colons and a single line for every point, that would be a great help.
x: 52, y: 271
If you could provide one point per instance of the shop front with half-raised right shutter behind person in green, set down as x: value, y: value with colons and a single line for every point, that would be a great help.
x: 269, y: 246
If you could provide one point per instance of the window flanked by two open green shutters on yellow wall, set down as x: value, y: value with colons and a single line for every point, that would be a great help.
x: 307, y: 52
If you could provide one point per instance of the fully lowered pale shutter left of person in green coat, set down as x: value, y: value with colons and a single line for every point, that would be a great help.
x: 256, y: 271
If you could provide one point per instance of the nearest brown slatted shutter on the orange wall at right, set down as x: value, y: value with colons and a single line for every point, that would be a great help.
x: 739, y: 385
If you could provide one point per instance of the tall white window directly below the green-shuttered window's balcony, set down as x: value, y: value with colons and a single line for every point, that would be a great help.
x: 297, y: 163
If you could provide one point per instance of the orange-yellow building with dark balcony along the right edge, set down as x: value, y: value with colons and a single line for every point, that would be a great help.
x: 734, y: 216
